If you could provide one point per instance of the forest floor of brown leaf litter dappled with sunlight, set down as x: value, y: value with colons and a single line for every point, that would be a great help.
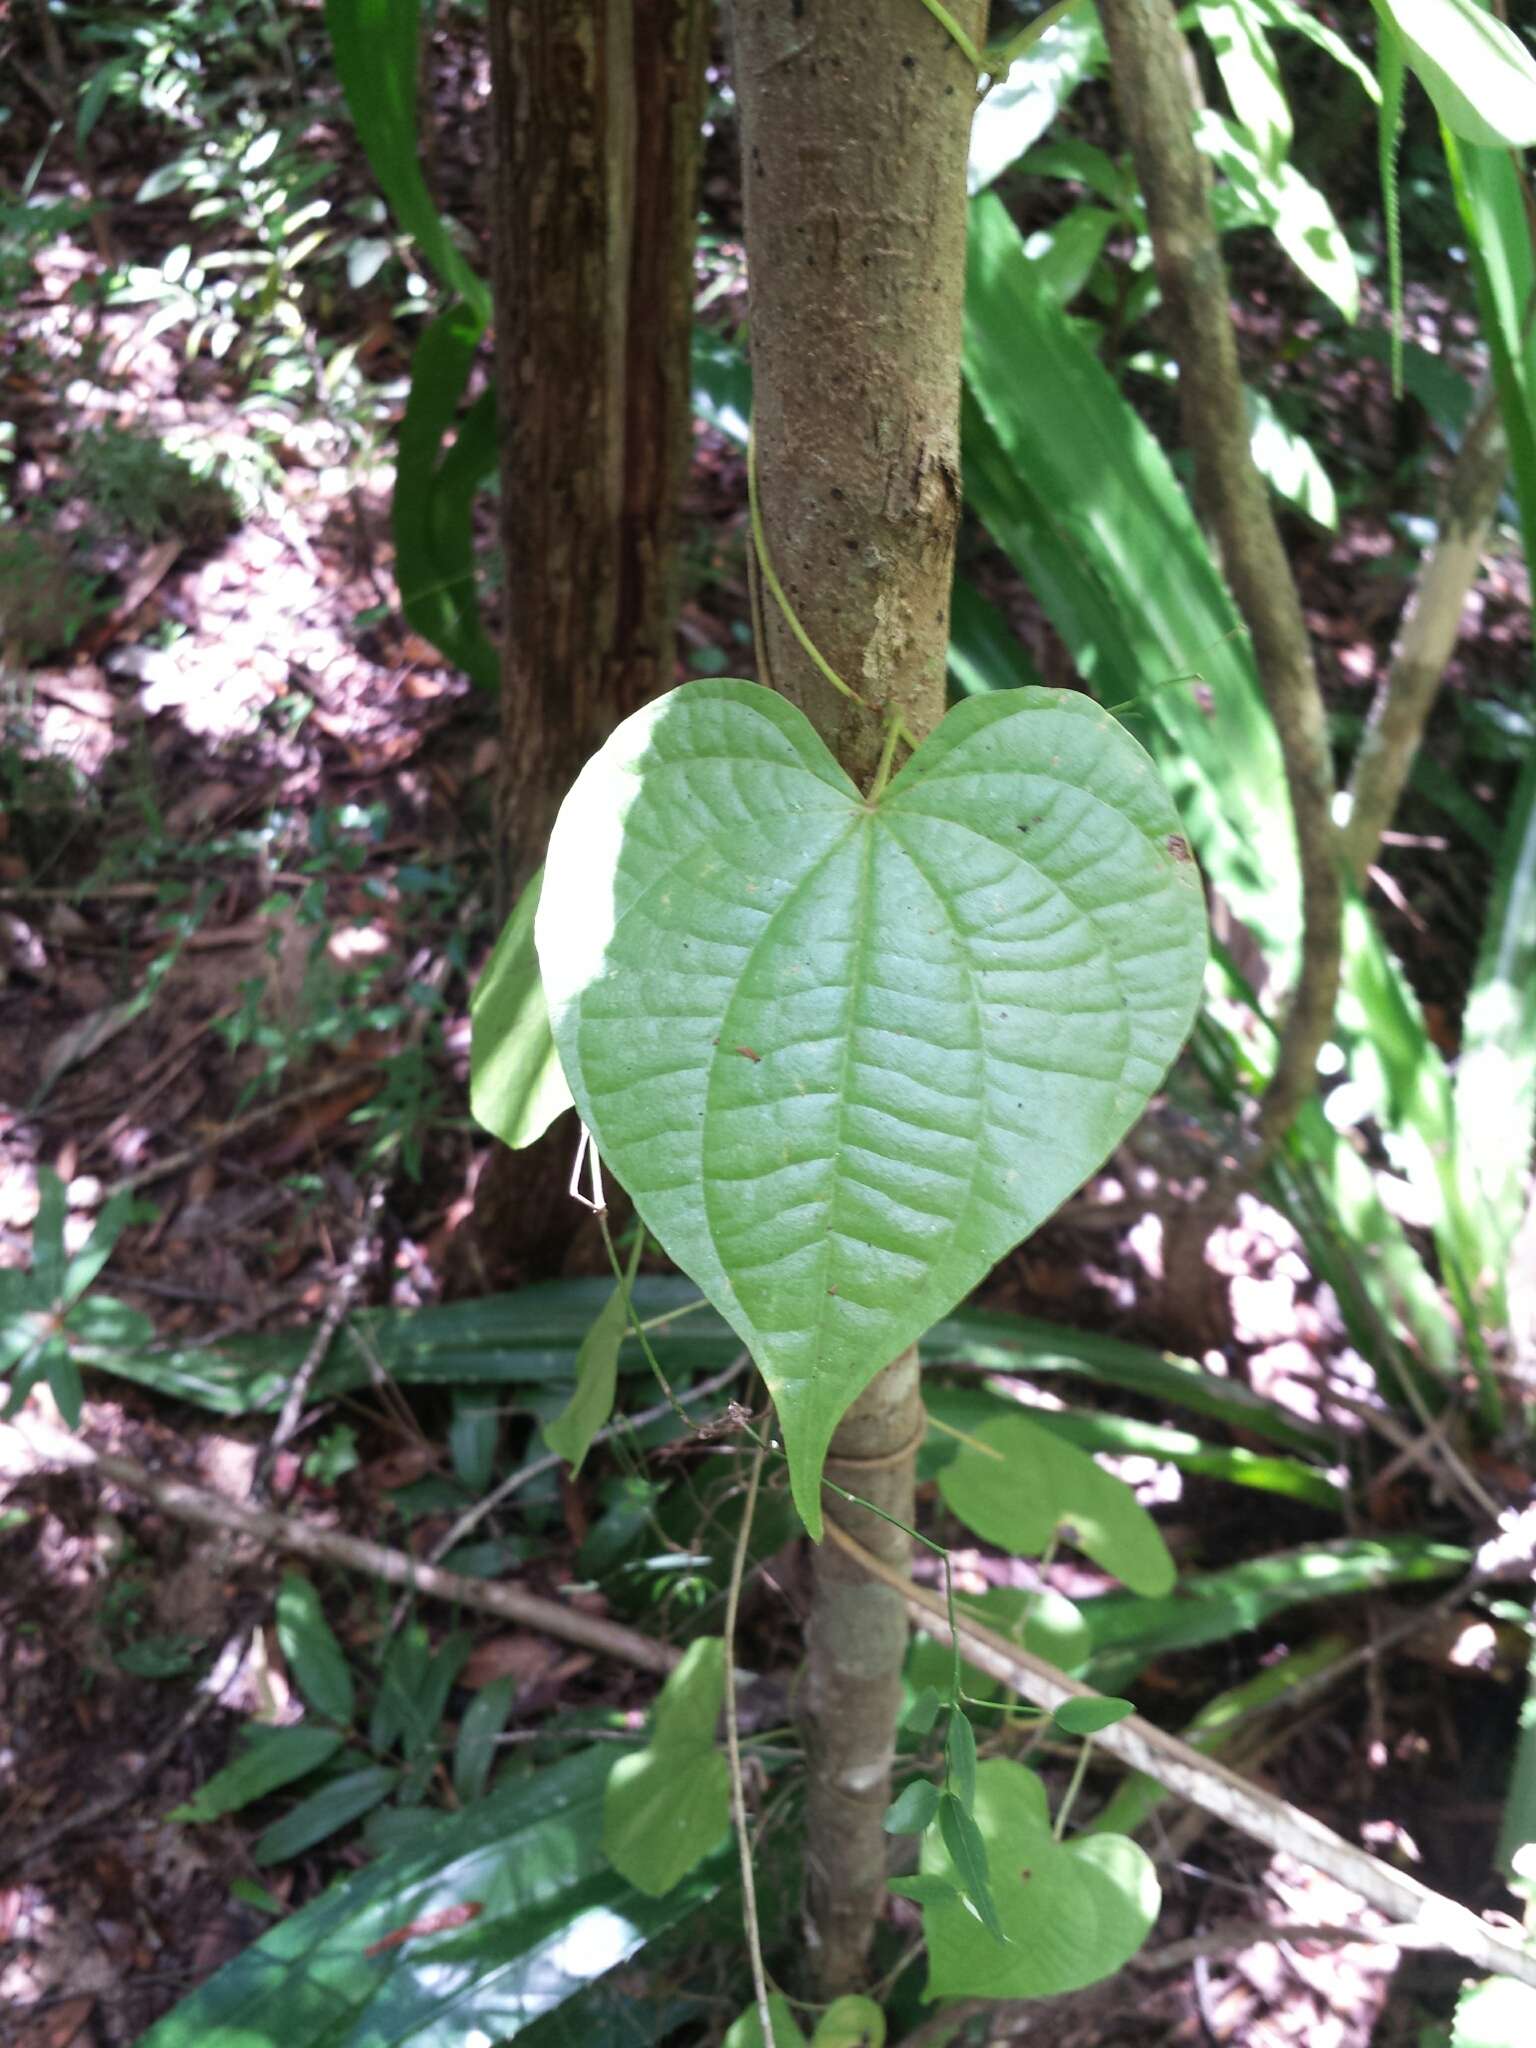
x: 245, y: 892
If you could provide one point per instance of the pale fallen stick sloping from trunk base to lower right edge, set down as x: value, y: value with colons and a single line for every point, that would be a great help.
x: 1220, y: 1791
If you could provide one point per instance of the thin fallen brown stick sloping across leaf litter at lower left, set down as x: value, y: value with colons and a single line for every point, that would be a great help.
x: 347, y: 1553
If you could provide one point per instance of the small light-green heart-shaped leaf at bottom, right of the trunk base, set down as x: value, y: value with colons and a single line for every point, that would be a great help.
x: 1072, y: 1912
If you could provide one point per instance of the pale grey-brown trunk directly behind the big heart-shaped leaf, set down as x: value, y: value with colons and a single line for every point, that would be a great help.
x: 855, y: 128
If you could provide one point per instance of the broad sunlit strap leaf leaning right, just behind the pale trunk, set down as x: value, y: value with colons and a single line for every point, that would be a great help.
x: 1080, y: 497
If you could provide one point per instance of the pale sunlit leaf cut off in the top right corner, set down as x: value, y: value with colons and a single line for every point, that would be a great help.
x: 1474, y: 67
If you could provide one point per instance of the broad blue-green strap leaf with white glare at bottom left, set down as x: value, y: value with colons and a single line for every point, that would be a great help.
x: 527, y: 1918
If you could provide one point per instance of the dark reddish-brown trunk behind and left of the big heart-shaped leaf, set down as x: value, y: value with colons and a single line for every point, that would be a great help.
x: 599, y: 112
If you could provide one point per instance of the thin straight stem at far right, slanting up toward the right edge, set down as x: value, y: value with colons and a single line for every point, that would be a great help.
x: 1426, y: 636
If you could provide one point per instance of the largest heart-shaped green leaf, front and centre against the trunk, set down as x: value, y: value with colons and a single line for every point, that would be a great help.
x: 847, y: 1054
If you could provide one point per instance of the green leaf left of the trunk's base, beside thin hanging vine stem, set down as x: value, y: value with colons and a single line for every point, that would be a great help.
x: 671, y: 1803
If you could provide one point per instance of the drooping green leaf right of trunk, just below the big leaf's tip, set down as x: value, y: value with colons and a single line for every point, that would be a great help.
x: 1041, y: 1488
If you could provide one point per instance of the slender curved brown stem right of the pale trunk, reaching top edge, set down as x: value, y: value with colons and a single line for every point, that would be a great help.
x: 1152, y: 87
